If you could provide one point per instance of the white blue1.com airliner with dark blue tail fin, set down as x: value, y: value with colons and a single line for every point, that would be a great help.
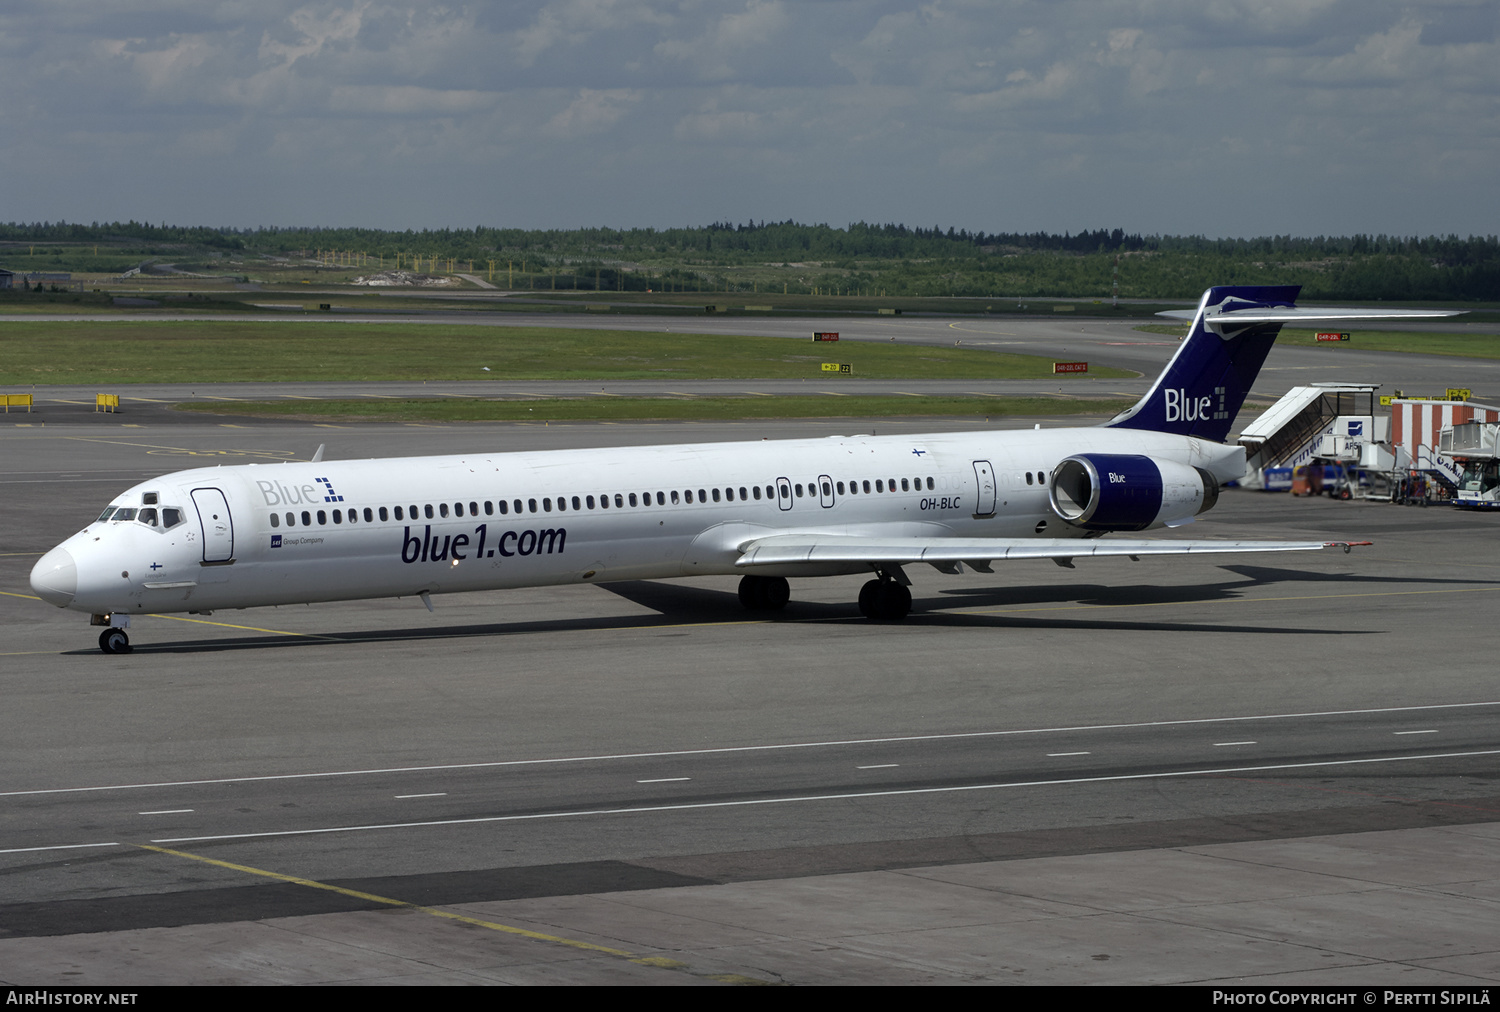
x: 413, y: 527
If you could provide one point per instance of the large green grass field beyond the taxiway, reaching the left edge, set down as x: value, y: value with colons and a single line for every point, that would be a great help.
x: 227, y: 352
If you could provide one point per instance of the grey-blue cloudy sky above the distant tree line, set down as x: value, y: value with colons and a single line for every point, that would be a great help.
x: 1217, y: 118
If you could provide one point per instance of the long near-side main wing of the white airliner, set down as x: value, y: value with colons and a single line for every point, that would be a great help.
x: 785, y: 549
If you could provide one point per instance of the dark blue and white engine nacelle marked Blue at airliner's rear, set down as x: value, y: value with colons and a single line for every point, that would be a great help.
x: 1129, y: 493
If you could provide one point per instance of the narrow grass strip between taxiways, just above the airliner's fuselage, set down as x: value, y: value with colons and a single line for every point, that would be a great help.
x: 656, y: 409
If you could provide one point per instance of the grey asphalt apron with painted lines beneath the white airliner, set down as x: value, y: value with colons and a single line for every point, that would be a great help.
x: 1276, y: 770
